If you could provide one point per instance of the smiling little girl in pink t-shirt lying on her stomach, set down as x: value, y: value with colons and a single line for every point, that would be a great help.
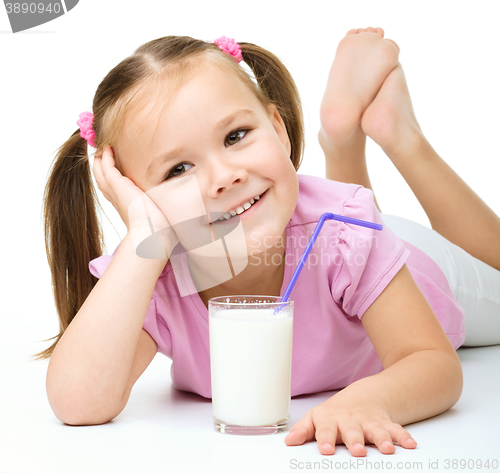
x: 375, y: 316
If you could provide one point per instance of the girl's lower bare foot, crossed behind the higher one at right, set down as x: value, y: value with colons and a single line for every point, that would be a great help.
x: 390, y: 120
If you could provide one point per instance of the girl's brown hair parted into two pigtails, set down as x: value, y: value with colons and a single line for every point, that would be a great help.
x: 73, y: 236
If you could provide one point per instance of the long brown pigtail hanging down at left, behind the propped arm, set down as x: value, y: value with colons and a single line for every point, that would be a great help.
x: 73, y: 234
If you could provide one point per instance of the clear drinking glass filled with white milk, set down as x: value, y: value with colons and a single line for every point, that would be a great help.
x: 251, y: 359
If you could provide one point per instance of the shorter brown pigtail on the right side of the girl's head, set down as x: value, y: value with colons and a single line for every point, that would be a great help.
x: 278, y: 86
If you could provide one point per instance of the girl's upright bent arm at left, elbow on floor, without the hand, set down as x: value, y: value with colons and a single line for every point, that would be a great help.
x: 104, y: 350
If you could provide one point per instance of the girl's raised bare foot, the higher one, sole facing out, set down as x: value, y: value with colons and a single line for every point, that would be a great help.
x: 362, y: 62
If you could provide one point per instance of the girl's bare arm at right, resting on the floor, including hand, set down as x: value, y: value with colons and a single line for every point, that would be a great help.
x: 422, y: 378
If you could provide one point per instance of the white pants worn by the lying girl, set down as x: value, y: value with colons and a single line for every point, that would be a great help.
x: 475, y: 285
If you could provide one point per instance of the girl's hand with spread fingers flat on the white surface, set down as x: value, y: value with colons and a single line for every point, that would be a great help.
x: 343, y: 419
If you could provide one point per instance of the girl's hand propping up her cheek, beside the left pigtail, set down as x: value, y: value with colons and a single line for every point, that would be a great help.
x: 139, y: 213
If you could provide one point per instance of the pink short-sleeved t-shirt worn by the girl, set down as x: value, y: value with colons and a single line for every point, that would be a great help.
x: 348, y: 268
